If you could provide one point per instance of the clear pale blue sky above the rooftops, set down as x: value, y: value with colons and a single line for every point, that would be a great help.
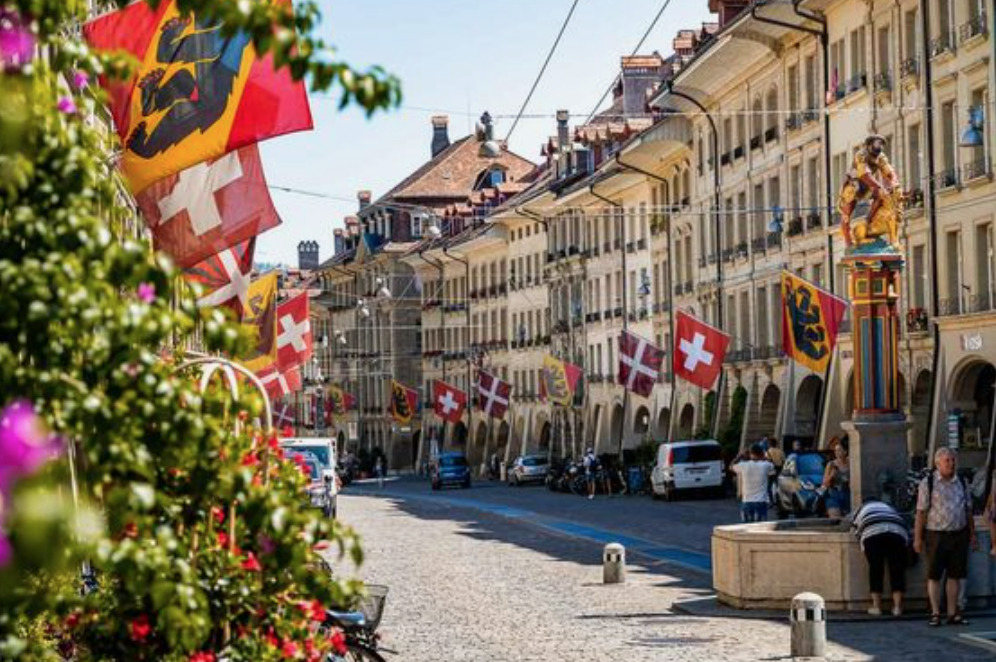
x: 458, y: 57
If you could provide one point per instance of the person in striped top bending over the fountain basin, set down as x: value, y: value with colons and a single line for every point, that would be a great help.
x: 885, y: 540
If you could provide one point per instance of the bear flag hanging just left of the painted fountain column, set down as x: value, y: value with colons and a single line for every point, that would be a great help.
x: 810, y: 321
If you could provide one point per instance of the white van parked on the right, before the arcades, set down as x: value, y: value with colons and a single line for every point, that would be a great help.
x: 687, y: 465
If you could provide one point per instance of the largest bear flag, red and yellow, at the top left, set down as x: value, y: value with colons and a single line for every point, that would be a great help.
x: 197, y: 93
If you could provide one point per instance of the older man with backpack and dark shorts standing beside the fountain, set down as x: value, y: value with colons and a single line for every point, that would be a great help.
x: 945, y: 530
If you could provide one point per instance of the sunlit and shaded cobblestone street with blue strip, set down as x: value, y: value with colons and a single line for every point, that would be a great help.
x: 483, y: 575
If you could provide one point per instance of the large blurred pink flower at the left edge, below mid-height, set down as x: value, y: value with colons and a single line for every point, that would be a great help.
x: 24, y: 444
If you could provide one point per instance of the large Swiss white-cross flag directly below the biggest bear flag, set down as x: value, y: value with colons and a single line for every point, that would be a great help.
x: 209, y: 207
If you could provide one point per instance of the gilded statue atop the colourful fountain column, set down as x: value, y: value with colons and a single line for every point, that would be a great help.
x: 871, y: 179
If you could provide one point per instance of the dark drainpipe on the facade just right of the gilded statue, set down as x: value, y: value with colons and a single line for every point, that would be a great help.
x: 935, y: 301
